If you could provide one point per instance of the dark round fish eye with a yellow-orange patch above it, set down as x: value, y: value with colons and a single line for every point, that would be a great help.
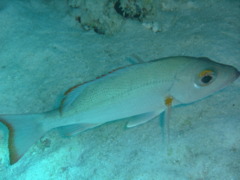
x: 205, y: 78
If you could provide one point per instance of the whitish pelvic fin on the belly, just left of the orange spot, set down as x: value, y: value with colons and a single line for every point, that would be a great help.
x: 142, y: 118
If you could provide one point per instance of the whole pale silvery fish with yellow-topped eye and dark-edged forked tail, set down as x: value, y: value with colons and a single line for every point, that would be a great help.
x: 140, y: 92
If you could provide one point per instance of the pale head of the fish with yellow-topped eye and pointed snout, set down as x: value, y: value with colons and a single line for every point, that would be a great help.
x: 200, y: 78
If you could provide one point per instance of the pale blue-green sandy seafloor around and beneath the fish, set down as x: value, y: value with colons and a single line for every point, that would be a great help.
x: 44, y: 51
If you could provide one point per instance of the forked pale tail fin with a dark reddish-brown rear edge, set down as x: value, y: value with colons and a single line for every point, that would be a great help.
x: 24, y: 131
